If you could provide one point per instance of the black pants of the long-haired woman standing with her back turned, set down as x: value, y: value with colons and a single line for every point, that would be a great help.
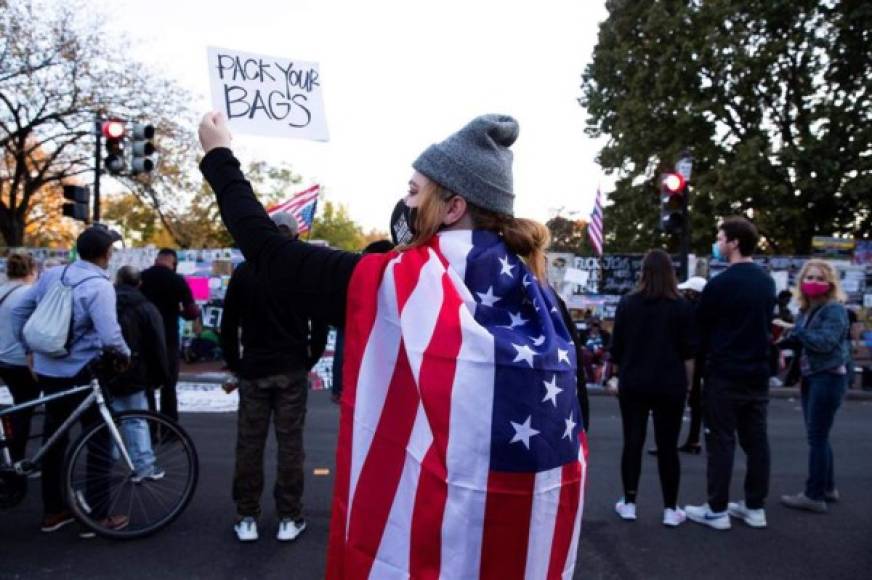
x: 667, y: 410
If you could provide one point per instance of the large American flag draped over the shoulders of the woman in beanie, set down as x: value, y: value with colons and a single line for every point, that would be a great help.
x: 460, y: 450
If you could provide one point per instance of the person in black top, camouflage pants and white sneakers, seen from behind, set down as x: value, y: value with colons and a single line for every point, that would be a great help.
x: 279, y: 347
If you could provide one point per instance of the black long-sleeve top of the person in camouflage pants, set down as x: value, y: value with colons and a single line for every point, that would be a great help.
x: 275, y: 337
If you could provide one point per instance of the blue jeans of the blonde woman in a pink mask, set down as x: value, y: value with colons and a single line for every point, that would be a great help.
x: 822, y: 394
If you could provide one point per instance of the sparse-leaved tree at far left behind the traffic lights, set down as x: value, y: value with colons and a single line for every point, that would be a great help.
x: 58, y: 72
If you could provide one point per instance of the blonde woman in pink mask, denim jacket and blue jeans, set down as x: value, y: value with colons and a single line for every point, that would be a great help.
x: 820, y: 335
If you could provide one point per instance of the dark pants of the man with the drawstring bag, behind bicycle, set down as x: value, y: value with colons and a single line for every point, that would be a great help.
x: 56, y: 412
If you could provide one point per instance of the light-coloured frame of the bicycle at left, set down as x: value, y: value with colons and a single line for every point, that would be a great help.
x: 95, y: 397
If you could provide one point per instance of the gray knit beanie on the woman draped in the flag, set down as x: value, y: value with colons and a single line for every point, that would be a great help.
x: 476, y: 162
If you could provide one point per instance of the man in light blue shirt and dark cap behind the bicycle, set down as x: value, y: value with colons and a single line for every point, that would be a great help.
x: 94, y: 329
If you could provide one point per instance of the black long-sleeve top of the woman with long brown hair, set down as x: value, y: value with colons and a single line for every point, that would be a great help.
x: 651, y: 340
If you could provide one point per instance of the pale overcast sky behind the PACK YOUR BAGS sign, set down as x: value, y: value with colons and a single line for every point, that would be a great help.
x: 397, y: 76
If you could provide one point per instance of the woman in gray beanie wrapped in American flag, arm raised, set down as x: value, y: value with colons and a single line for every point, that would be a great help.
x: 461, y: 448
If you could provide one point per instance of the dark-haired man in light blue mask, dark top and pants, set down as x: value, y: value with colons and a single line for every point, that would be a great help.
x: 735, y: 316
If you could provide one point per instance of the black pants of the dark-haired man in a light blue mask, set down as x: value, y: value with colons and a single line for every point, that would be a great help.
x: 727, y: 415
